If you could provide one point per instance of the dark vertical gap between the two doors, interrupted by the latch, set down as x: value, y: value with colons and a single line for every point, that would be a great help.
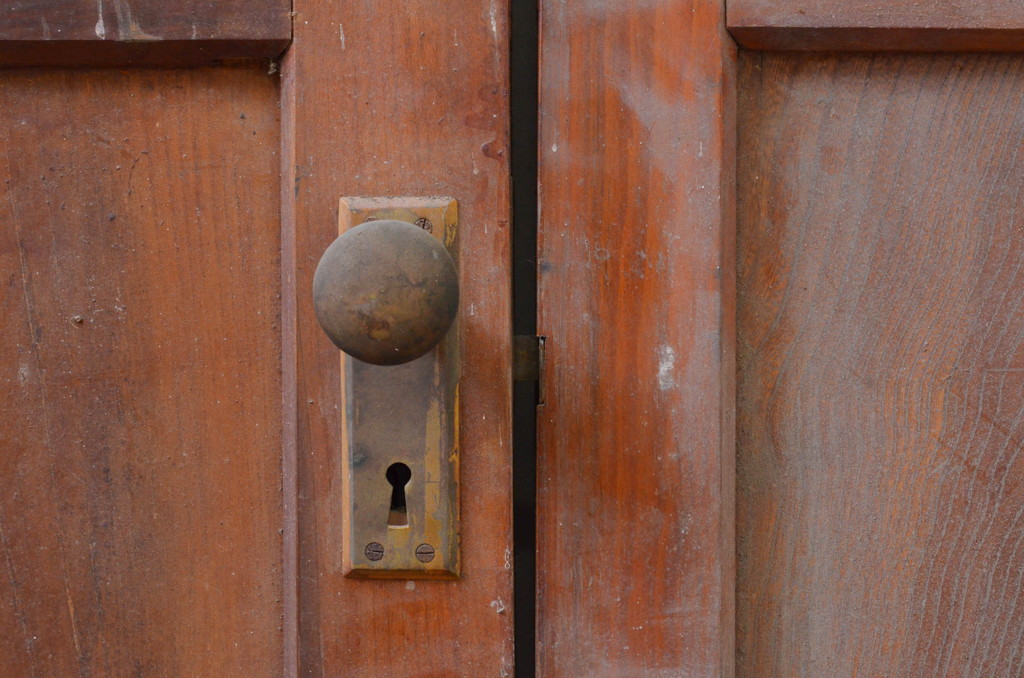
x: 524, y: 103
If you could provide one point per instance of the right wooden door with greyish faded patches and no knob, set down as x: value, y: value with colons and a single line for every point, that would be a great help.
x: 856, y: 168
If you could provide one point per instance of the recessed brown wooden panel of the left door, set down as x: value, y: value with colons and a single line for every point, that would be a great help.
x: 140, y: 374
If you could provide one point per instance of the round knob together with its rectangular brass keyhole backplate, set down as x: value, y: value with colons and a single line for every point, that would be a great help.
x: 387, y: 292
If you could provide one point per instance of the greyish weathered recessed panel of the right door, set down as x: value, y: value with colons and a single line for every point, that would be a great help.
x: 880, y: 478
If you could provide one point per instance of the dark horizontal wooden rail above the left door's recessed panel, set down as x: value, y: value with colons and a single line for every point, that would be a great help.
x: 75, y: 33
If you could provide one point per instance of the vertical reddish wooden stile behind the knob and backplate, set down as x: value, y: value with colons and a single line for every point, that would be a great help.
x: 405, y: 100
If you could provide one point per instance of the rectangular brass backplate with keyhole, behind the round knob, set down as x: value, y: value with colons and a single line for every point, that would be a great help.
x: 405, y: 414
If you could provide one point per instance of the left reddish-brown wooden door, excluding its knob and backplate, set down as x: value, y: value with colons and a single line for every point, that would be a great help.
x: 170, y: 498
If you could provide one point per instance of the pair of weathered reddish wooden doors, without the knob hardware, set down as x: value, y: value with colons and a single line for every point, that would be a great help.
x: 778, y: 433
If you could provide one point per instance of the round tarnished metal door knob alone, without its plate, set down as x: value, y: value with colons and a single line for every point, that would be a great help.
x: 387, y: 292
